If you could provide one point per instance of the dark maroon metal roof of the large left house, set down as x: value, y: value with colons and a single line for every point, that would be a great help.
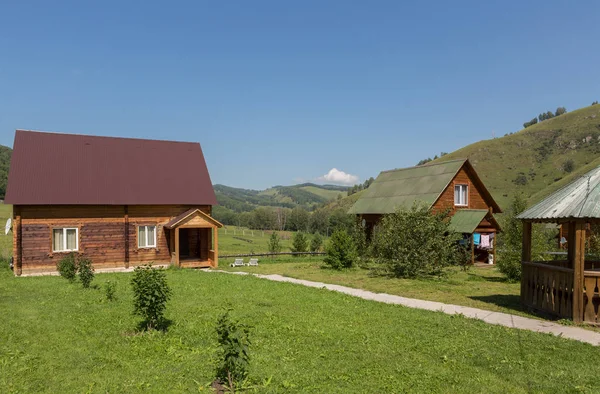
x: 54, y: 168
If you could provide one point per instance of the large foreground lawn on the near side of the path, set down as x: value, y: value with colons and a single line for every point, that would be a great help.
x: 57, y: 337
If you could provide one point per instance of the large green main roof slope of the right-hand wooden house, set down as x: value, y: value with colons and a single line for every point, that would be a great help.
x: 403, y: 187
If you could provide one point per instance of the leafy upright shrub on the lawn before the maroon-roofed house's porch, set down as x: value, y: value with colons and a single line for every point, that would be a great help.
x: 150, y: 294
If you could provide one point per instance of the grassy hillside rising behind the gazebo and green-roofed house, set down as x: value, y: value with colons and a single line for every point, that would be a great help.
x: 538, y: 152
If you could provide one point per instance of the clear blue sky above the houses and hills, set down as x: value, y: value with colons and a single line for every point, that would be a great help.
x: 279, y: 92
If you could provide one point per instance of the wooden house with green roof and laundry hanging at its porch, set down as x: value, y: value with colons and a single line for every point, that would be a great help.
x: 452, y: 185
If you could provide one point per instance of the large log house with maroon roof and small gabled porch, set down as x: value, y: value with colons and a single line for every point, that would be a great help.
x: 120, y: 202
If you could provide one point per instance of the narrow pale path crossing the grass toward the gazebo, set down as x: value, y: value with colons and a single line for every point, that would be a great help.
x: 503, y: 319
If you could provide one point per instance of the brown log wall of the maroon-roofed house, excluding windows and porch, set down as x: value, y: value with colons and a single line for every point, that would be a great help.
x: 102, y: 233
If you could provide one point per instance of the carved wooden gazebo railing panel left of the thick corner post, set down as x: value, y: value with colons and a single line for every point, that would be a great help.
x: 547, y: 288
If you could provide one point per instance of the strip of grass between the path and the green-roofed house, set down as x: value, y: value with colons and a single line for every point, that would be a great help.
x: 483, y: 288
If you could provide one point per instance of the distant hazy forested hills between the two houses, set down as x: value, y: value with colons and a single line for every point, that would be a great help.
x: 306, y: 195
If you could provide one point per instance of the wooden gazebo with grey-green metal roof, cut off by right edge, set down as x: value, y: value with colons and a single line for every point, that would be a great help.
x: 567, y: 288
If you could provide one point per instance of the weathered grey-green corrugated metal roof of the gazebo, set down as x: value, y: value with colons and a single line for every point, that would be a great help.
x: 580, y: 199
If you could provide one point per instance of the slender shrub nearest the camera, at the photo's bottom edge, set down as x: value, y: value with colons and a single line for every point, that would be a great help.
x: 233, y: 359
